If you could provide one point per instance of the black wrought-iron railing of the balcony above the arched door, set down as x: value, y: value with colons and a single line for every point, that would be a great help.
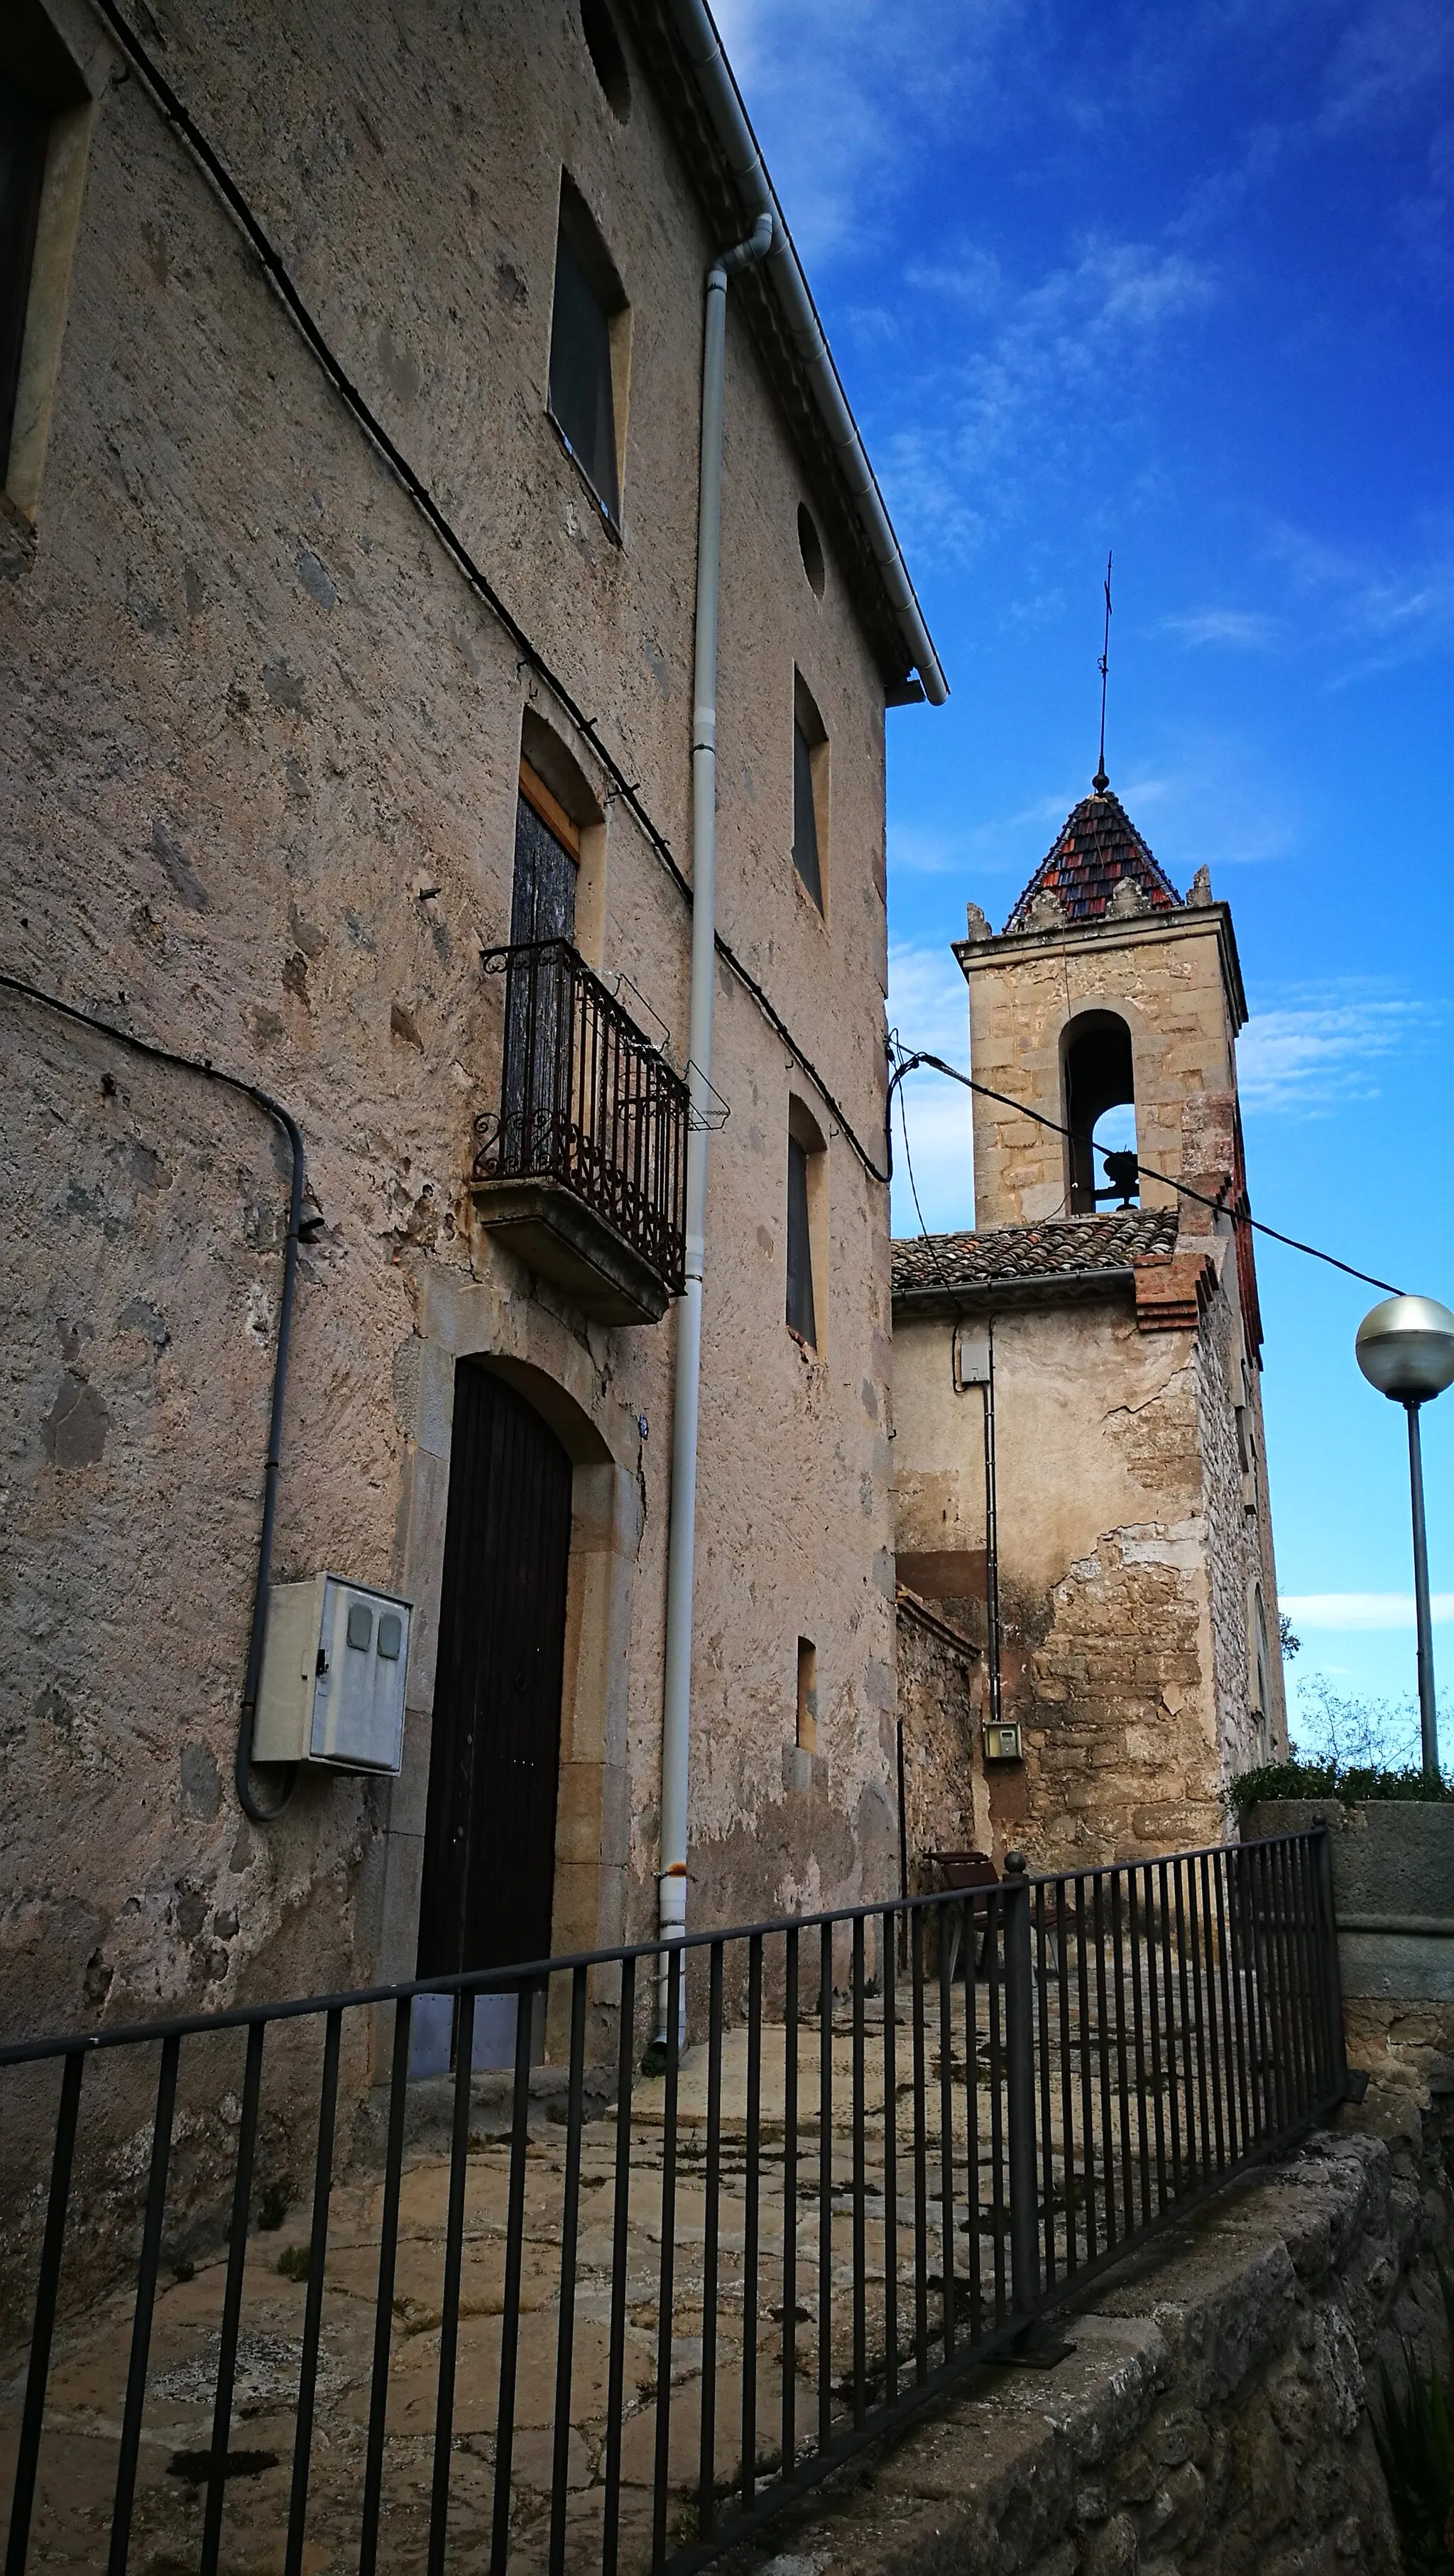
x: 586, y: 1101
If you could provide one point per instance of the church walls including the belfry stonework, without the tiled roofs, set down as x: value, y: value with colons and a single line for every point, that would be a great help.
x: 1133, y: 1508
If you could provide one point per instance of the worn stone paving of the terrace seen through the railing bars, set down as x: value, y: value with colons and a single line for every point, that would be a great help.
x: 89, y: 2369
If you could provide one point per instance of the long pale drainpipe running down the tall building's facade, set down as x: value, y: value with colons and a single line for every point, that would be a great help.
x: 682, y: 1529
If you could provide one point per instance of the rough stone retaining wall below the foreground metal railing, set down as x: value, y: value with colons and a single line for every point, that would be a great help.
x: 1213, y: 2418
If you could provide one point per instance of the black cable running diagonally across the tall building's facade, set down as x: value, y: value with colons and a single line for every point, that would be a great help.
x: 623, y: 790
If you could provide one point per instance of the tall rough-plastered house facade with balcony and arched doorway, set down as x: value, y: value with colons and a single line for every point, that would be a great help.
x: 282, y: 707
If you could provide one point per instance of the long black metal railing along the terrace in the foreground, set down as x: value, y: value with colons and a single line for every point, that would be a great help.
x: 612, y: 2320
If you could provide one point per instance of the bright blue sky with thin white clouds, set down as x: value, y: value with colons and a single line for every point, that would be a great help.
x: 1182, y: 282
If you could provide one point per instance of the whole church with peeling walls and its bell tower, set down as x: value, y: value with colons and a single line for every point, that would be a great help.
x: 1076, y: 1387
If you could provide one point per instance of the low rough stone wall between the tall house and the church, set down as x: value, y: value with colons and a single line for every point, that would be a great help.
x: 940, y: 1709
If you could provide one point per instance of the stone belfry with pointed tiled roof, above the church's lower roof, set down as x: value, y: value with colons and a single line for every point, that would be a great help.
x: 1105, y: 990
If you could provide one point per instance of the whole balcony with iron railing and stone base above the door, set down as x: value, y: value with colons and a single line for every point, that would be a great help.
x: 584, y: 1168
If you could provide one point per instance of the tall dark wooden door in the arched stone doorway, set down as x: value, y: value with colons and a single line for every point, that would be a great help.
x: 489, y: 1871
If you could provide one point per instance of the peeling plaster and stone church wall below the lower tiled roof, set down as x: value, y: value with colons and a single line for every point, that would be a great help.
x: 1125, y: 1565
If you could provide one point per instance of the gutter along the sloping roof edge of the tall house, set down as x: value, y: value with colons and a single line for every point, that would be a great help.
x: 728, y: 117
